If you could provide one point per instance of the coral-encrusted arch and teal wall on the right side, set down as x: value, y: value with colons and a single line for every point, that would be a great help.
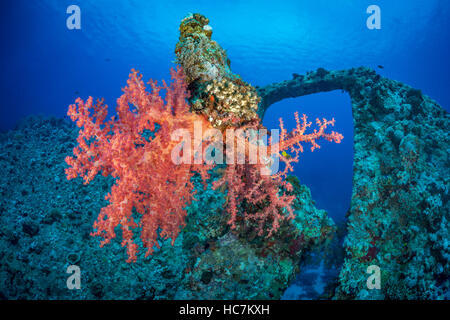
x: 399, y: 215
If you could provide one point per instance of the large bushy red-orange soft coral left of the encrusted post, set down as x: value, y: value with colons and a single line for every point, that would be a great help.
x: 135, y: 147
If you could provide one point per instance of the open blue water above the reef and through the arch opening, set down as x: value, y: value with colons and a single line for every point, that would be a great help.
x: 45, y: 66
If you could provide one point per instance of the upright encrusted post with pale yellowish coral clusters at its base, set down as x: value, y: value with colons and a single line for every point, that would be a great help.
x: 217, y: 92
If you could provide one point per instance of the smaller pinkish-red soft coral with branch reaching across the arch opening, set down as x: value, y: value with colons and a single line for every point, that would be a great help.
x: 245, y: 182
